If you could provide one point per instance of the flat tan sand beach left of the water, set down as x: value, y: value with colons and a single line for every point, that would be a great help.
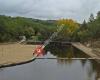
x: 14, y: 53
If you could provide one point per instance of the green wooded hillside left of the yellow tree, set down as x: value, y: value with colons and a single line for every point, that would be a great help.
x: 11, y: 28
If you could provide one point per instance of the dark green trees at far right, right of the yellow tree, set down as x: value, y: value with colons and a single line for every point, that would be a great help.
x: 90, y: 30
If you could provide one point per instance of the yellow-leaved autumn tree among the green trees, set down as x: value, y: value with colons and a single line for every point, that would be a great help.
x: 70, y: 27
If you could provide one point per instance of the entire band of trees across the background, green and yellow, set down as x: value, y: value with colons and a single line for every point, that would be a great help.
x: 11, y: 28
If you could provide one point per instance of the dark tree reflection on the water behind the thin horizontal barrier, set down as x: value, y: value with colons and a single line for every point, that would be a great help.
x: 65, y: 51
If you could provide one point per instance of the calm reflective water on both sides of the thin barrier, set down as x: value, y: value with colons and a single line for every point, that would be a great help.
x: 55, y: 69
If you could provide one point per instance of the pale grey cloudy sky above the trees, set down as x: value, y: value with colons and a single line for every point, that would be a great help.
x: 50, y: 9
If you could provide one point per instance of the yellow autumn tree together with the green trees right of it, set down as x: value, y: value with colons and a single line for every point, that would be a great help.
x: 85, y: 32
